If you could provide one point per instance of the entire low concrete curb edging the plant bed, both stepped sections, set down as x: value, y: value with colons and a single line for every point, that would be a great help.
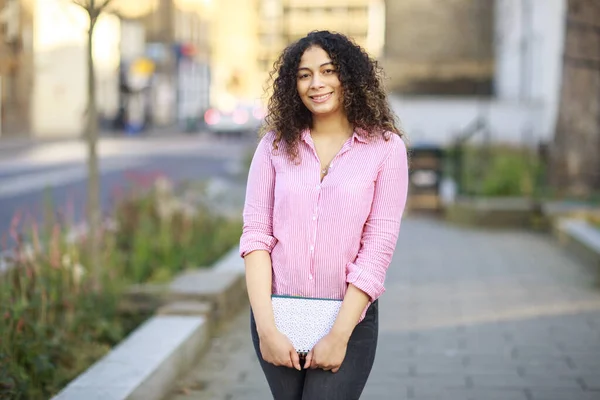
x: 148, y: 362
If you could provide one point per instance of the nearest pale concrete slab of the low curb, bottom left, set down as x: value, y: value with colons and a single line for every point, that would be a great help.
x: 145, y: 365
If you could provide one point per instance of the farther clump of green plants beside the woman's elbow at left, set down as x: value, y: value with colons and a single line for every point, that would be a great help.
x: 161, y: 233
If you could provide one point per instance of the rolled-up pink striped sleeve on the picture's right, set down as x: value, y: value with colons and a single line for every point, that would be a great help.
x: 382, y: 227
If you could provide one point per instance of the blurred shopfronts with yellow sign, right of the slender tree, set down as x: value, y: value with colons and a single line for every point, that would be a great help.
x: 165, y: 69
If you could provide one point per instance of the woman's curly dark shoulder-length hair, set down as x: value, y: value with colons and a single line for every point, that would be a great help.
x: 365, y: 102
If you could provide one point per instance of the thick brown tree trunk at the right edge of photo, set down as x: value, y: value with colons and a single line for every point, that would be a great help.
x: 575, y: 152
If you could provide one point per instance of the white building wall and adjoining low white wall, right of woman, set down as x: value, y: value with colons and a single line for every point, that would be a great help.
x: 529, y: 42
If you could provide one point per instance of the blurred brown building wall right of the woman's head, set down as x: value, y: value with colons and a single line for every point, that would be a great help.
x: 439, y: 47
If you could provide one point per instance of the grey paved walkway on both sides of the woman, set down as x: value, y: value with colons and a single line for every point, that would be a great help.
x: 467, y: 315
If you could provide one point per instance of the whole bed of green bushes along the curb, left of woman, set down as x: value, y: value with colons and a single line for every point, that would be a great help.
x: 55, y: 321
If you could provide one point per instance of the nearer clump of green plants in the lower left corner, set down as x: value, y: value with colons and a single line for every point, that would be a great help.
x: 54, y: 321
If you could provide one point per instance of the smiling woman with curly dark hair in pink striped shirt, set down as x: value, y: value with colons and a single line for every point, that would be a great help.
x: 326, y: 191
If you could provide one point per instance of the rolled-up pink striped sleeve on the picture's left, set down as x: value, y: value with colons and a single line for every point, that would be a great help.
x: 257, y: 233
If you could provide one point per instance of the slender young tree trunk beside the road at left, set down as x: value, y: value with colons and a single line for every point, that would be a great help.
x: 94, y: 213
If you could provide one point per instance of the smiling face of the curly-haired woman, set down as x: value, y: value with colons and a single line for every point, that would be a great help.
x: 318, y: 83
